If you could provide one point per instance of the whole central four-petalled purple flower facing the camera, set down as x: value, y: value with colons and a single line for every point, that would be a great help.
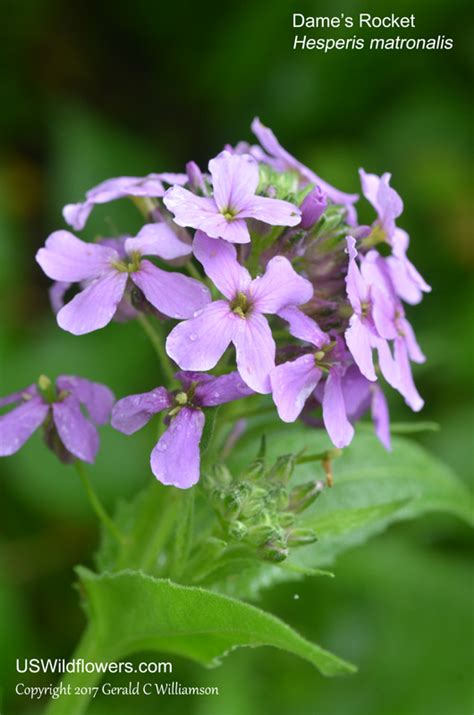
x: 199, y: 343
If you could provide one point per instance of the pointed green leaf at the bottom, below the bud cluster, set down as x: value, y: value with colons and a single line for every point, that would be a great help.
x: 131, y: 612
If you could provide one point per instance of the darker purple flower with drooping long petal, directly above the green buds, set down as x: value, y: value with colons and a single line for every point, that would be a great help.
x: 175, y: 458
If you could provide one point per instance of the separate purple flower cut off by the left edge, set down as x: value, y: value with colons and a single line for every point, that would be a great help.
x: 67, y: 431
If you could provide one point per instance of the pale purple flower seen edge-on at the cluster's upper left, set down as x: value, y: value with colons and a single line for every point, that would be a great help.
x: 76, y: 215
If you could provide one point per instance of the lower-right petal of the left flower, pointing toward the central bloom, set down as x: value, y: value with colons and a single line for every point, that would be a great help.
x: 173, y: 294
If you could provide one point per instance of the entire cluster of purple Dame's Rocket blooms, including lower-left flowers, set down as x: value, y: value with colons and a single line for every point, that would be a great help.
x: 259, y: 271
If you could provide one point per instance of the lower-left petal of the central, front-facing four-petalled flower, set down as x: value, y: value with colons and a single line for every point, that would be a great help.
x: 199, y: 343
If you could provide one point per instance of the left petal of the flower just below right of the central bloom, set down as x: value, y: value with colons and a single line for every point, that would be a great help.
x: 292, y: 384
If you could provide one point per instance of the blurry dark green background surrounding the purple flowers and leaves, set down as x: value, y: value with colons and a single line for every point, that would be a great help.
x: 93, y: 90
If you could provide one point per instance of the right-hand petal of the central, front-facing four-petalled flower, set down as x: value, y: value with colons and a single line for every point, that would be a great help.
x: 279, y: 287
